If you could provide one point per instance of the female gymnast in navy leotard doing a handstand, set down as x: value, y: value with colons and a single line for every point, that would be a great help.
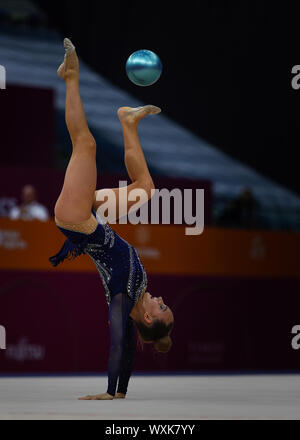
x: 122, y: 274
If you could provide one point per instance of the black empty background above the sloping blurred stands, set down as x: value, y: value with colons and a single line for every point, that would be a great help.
x: 227, y: 68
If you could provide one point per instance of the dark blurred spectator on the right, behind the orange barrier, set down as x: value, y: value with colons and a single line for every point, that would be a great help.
x: 241, y: 212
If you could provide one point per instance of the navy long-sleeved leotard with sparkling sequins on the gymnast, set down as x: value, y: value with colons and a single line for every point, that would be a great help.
x: 124, y: 280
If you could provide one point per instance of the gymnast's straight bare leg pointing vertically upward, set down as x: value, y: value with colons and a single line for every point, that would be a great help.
x: 74, y: 205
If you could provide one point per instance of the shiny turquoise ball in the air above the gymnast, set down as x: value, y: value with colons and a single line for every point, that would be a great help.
x: 144, y: 68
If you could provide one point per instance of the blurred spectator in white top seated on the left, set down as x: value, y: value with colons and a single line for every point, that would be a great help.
x: 30, y: 209
